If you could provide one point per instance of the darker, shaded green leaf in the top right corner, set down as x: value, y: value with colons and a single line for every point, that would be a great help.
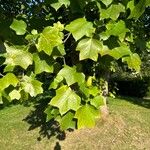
x: 138, y: 9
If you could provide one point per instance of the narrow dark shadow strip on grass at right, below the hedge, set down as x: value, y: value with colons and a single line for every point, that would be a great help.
x: 137, y: 101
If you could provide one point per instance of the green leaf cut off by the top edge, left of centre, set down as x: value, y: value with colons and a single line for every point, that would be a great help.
x: 57, y: 5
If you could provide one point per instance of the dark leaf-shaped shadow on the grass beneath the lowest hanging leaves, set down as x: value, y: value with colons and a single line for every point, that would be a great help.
x: 37, y: 119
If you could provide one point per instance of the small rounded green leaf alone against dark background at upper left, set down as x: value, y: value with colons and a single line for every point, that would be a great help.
x: 19, y: 26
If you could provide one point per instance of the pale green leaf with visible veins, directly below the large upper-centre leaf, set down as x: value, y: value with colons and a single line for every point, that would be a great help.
x: 89, y: 48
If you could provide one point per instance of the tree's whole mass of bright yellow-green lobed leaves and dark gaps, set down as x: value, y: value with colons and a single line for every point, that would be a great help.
x: 72, y: 41
